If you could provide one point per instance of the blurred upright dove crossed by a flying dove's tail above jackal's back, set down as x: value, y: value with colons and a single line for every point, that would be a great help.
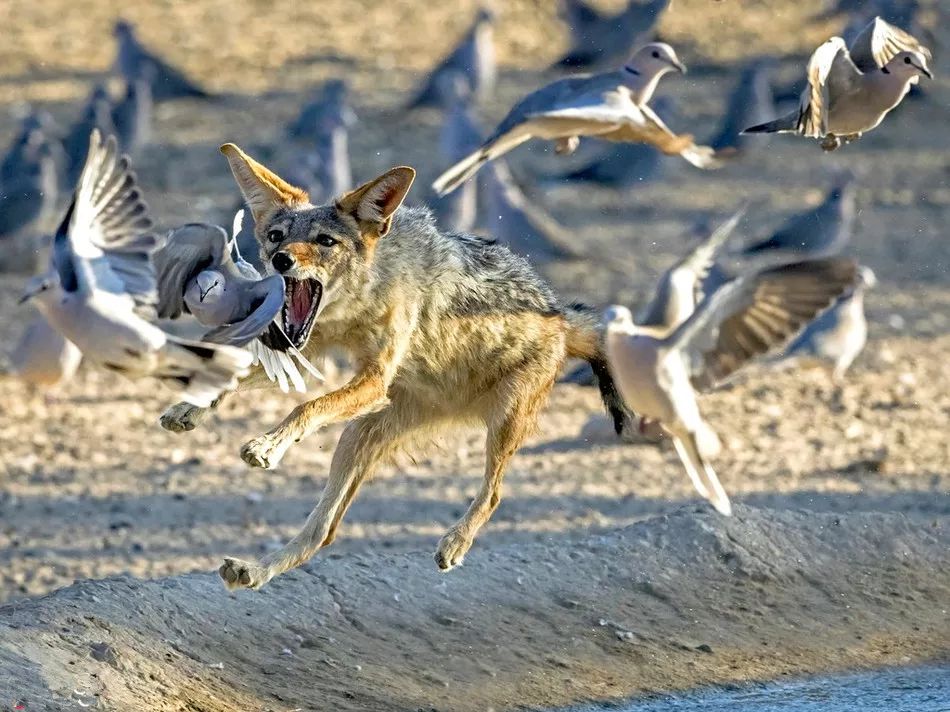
x: 460, y: 135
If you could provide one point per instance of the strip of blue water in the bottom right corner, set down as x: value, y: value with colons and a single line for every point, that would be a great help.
x: 923, y: 689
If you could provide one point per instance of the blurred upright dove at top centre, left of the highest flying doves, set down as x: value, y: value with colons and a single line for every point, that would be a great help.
x: 473, y: 58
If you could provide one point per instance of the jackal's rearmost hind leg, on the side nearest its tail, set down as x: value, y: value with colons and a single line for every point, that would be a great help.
x: 521, y: 397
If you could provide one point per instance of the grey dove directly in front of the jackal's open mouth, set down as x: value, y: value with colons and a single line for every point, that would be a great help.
x: 200, y: 270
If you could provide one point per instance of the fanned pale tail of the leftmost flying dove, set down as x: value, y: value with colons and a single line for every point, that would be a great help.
x: 203, y: 371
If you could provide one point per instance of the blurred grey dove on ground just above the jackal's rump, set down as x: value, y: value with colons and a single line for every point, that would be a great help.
x: 513, y: 220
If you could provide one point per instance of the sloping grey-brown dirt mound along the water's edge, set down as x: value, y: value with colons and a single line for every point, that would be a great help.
x: 675, y: 601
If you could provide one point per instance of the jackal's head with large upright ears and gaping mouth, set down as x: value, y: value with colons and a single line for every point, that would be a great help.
x: 325, y: 253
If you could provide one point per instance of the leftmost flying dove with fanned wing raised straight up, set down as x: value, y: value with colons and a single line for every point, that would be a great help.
x: 100, y: 287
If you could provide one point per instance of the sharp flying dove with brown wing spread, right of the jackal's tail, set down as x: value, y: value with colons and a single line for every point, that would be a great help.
x: 654, y: 367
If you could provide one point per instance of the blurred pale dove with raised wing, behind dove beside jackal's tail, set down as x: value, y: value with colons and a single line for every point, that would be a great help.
x: 684, y: 285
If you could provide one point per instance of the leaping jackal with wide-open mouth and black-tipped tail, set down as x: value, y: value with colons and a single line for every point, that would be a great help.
x: 442, y: 329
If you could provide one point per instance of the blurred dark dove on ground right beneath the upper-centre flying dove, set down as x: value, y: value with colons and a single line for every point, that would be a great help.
x: 625, y: 165
